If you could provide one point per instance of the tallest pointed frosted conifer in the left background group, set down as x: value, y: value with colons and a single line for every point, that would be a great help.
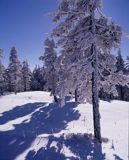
x: 15, y: 72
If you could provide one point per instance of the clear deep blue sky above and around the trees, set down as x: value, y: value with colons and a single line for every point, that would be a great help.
x: 23, y: 24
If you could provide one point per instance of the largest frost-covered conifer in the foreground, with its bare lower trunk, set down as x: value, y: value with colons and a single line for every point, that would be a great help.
x: 87, y: 37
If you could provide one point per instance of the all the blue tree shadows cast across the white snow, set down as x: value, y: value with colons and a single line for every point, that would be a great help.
x: 46, y: 119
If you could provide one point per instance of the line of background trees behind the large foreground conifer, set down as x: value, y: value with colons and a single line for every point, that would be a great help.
x: 18, y: 77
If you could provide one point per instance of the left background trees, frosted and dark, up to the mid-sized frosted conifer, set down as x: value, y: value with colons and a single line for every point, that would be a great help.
x: 17, y: 77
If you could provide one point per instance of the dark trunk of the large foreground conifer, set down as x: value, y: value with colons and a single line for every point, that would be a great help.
x: 95, y: 99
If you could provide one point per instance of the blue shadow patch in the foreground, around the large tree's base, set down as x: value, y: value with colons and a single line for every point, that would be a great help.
x: 82, y: 147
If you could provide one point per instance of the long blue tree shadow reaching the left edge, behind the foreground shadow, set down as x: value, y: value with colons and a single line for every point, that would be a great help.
x: 42, y: 119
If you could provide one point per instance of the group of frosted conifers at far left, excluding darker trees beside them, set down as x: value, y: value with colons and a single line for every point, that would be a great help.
x: 16, y: 77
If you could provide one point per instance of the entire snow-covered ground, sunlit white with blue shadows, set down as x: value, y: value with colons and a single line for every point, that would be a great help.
x: 34, y: 128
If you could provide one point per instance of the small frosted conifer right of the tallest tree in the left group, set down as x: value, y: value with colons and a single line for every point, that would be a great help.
x: 26, y: 73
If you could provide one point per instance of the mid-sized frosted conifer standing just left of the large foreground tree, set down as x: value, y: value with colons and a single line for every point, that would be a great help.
x: 49, y: 59
